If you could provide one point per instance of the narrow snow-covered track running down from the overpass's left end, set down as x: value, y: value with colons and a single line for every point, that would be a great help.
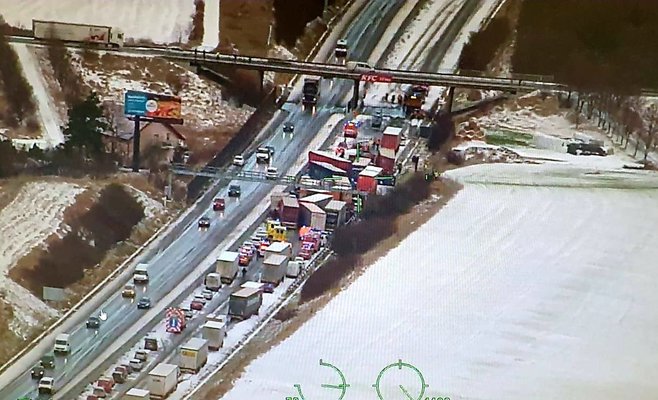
x: 48, y: 116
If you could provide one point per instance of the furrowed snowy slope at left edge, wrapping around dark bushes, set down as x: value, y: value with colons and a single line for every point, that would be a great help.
x: 34, y: 214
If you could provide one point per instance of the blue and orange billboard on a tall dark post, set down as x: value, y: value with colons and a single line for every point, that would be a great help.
x: 153, y: 106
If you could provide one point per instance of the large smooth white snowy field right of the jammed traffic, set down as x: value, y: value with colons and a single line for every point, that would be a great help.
x: 527, y: 292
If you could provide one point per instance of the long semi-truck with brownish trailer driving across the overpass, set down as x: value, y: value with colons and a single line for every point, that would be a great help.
x: 79, y: 33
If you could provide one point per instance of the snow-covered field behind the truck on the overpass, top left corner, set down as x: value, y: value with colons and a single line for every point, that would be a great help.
x: 163, y: 21
